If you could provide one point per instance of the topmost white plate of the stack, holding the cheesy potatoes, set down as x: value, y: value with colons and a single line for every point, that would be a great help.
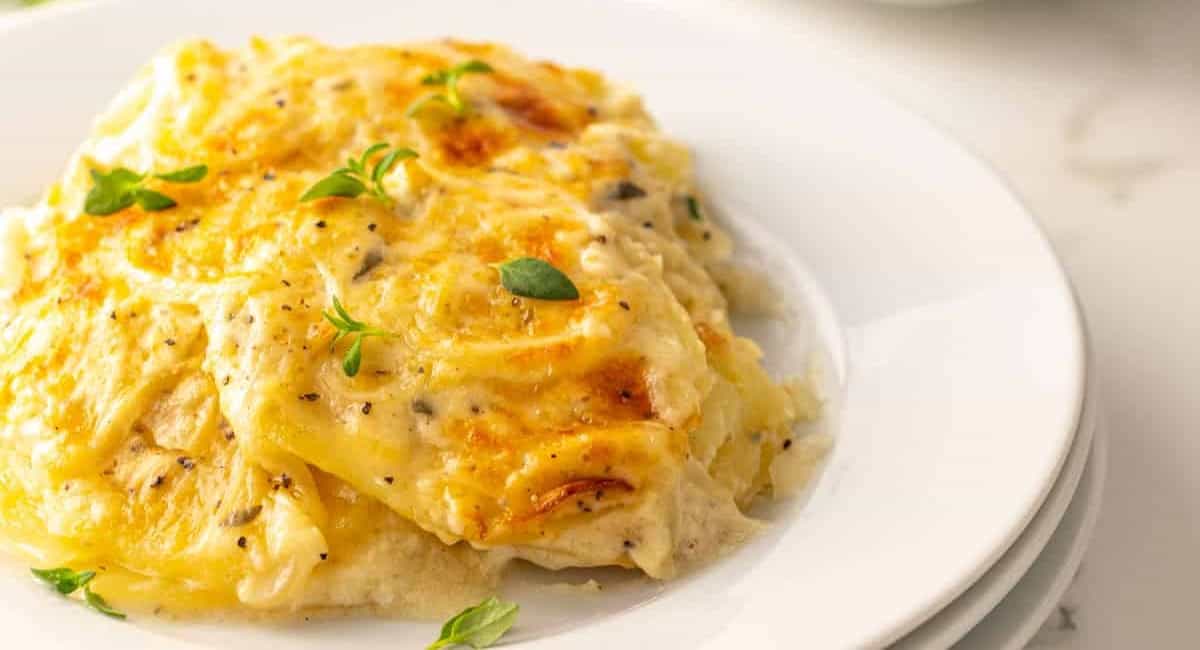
x: 959, y: 348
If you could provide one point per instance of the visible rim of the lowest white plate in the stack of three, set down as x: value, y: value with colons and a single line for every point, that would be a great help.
x: 1016, y: 621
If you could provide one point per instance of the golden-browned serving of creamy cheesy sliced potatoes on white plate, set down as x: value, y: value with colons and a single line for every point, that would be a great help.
x: 172, y: 410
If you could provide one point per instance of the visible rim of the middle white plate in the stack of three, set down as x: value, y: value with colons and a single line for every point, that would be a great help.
x: 982, y: 599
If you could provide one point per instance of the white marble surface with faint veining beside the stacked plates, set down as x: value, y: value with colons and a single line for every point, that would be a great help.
x: 1091, y: 109
